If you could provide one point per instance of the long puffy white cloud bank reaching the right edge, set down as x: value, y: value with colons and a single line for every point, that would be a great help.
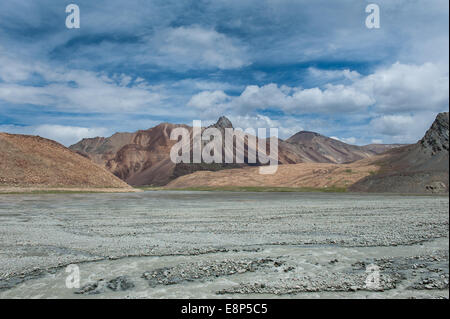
x: 398, y: 88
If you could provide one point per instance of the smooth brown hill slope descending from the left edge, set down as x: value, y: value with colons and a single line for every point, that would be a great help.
x: 32, y: 161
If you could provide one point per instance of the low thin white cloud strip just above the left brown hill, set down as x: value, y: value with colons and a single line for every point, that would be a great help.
x: 66, y: 135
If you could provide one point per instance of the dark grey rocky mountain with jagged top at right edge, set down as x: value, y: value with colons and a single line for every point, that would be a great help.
x: 419, y: 168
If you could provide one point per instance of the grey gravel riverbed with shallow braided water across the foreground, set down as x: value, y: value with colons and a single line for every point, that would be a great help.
x: 211, y: 244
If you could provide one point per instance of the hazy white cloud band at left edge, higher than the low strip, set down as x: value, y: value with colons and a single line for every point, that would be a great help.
x: 73, y: 90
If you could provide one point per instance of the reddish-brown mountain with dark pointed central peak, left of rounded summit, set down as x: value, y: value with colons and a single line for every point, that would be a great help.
x: 143, y: 157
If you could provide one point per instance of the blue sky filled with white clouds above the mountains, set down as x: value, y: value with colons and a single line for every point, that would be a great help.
x: 291, y: 64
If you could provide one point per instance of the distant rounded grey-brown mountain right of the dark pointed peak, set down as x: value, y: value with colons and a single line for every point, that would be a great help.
x: 315, y: 148
